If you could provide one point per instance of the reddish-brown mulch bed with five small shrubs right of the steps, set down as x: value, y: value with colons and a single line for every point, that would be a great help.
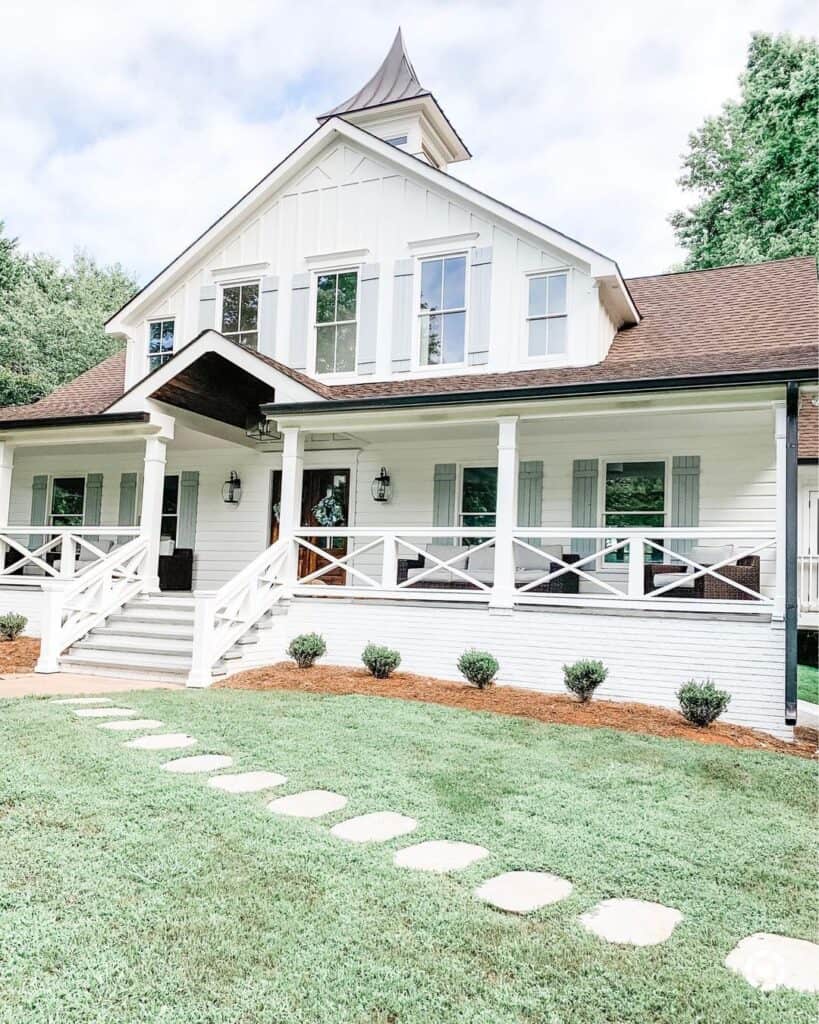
x: 645, y: 719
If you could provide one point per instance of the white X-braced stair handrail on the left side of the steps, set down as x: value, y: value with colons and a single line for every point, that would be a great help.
x: 73, y: 610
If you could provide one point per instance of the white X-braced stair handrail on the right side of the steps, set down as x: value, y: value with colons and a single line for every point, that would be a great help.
x: 223, y: 619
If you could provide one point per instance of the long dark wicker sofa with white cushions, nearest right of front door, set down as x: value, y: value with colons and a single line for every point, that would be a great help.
x: 531, y: 567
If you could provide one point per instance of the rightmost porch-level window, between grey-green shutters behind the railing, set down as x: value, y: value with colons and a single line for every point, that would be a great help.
x: 635, y: 499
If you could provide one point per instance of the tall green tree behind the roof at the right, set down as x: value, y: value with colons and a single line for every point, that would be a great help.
x: 755, y: 167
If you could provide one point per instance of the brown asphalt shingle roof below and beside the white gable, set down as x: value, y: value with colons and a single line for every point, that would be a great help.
x: 730, y: 320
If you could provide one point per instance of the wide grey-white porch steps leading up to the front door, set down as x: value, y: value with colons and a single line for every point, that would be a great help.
x: 150, y: 637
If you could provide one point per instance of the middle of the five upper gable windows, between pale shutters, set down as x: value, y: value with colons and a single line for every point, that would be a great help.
x: 336, y: 322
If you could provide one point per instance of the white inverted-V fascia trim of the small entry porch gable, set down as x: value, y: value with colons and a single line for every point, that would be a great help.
x: 209, y: 342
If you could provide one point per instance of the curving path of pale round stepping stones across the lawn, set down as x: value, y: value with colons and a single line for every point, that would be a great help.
x: 765, y: 961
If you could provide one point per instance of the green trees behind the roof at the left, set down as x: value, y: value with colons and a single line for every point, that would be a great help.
x: 52, y: 320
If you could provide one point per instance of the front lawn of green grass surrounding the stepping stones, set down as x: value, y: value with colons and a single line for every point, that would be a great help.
x: 130, y: 895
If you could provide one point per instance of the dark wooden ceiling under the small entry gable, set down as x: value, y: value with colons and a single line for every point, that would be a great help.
x: 215, y: 388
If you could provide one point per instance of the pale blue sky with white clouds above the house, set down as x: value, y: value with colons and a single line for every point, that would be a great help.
x: 125, y: 130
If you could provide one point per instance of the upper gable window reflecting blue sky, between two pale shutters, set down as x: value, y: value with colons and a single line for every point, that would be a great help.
x: 444, y: 311
